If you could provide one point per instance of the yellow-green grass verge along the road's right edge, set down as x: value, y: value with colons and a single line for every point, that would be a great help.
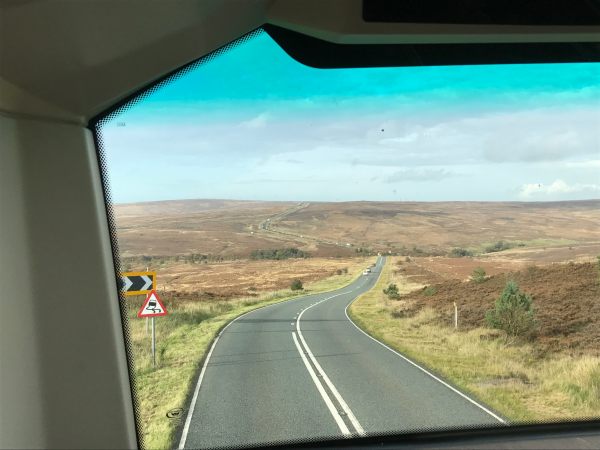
x: 515, y: 380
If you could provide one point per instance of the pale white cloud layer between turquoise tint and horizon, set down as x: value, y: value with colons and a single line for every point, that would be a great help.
x: 394, y: 149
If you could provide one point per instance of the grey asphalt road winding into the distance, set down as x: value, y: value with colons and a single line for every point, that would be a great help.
x: 302, y: 370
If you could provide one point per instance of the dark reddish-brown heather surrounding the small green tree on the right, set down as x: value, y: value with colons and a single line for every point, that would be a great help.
x: 566, y: 299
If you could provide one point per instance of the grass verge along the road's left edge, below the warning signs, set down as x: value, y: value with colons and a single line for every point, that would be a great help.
x: 182, y: 339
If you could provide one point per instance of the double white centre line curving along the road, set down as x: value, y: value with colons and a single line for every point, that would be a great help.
x: 339, y: 409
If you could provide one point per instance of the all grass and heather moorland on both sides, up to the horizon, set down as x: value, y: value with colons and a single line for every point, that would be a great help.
x: 201, y: 251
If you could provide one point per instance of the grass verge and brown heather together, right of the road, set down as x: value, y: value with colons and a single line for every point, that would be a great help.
x: 555, y: 376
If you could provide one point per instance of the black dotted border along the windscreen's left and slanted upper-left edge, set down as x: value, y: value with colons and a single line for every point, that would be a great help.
x: 96, y: 125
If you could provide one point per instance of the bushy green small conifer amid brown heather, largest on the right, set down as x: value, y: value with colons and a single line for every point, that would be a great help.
x: 513, y: 312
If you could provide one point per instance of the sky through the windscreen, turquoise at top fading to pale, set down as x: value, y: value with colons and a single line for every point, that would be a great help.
x: 254, y: 124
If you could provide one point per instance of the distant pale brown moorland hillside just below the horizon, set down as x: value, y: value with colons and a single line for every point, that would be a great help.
x: 233, y: 229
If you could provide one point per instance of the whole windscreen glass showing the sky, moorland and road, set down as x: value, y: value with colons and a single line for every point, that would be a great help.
x: 315, y: 254
